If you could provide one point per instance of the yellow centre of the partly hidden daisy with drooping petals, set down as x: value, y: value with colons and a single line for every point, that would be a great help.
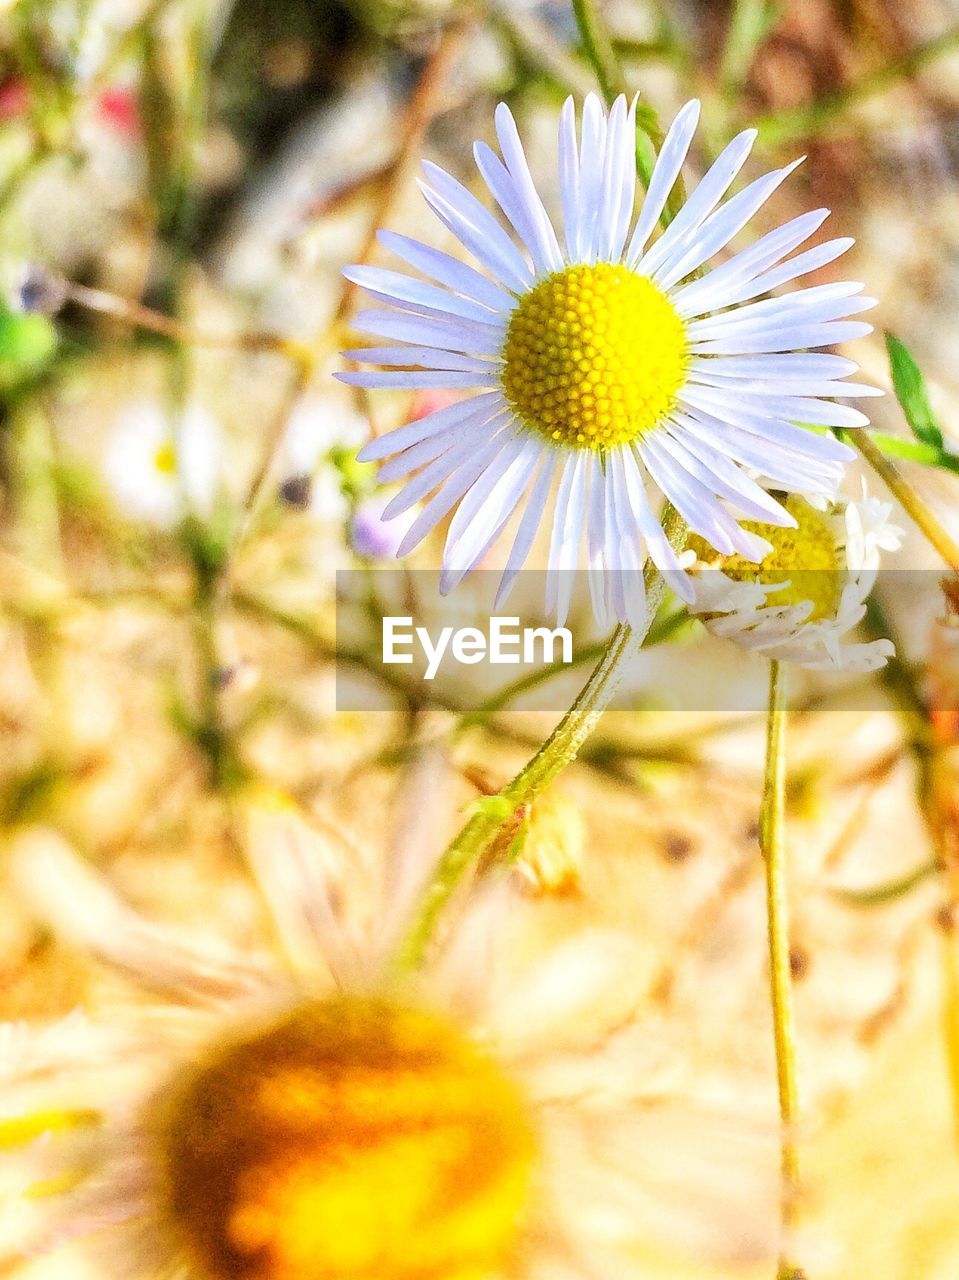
x: 806, y: 557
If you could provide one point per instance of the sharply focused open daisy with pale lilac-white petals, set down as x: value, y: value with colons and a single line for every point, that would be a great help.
x: 604, y: 362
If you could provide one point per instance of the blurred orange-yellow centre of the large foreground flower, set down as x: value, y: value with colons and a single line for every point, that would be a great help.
x: 357, y: 1140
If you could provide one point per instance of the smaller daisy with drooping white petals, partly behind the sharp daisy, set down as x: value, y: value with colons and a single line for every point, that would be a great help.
x: 811, y: 589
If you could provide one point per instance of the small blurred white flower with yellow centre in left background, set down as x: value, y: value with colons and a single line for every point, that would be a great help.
x: 162, y: 469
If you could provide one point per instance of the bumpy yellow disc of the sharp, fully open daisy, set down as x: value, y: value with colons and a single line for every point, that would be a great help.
x: 595, y: 356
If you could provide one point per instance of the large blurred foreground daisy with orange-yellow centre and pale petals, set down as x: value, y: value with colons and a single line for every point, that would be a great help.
x: 250, y: 1118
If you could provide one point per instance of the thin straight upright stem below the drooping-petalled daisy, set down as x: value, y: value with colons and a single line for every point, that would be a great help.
x: 773, y: 833
